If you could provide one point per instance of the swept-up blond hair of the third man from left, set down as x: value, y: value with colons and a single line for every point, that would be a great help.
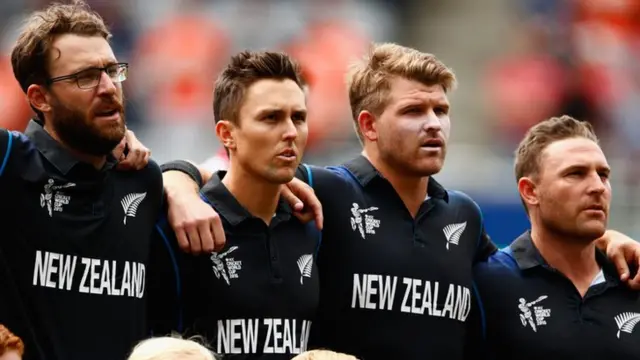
x: 369, y: 80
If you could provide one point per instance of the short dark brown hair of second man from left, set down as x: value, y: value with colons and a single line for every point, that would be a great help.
x: 245, y: 69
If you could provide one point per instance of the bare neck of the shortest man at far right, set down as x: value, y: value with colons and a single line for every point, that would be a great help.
x: 574, y: 258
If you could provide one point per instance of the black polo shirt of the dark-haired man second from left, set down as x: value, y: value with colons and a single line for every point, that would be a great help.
x: 254, y: 299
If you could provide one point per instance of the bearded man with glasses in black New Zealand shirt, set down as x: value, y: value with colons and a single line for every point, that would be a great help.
x: 75, y: 234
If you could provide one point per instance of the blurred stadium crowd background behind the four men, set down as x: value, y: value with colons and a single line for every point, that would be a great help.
x: 517, y: 62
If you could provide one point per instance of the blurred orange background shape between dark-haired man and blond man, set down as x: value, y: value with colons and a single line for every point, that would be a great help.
x: 325, y: 52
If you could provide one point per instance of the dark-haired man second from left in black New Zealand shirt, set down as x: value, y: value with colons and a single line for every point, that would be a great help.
x: 257, y: 297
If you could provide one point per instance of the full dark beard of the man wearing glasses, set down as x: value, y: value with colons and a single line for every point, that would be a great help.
x: 77, y: 130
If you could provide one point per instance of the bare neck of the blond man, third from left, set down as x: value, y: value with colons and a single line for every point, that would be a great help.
x: 411, y: 189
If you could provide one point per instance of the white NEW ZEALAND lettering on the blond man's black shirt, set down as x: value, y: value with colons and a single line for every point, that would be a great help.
x: 377, y: 292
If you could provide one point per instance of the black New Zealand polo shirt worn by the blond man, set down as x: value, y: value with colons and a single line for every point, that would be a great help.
x: 394, y: 287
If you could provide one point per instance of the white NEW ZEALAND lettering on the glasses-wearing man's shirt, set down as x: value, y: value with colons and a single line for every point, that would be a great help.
x: 98, y: 277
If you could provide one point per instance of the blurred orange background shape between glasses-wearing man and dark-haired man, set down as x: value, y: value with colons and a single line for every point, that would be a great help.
x: 180, y: 59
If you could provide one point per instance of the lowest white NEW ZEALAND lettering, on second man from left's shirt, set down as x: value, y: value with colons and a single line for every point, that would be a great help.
x: 280, y: 336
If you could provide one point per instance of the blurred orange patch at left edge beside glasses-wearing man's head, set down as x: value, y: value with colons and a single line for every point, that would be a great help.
x: 13, y: 104
